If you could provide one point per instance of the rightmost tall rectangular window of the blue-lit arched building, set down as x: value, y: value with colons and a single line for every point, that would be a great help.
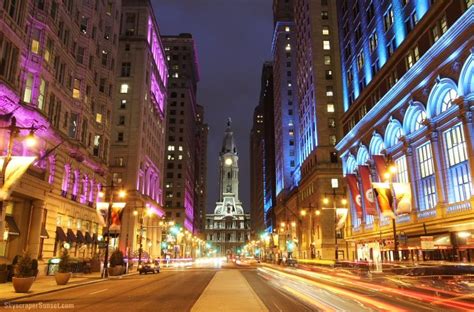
x: 458, y: 167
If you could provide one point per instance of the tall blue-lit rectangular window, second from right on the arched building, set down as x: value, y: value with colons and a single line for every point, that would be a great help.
x: 427, y: 183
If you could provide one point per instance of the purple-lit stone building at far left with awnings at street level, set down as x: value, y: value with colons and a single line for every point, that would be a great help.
x: 57, y: 74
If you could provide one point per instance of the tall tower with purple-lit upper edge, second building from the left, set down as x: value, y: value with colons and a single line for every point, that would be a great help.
x: 138, y: 126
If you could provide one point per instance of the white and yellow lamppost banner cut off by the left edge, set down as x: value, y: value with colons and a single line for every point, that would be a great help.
x: 14, y: 171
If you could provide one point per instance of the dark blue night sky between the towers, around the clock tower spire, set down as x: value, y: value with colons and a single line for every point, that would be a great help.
x: 233, y: 39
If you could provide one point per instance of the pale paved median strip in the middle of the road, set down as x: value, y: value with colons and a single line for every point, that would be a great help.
x: 228, y: 291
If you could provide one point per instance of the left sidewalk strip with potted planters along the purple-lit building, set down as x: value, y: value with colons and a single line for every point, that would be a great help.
x: 47, y: 284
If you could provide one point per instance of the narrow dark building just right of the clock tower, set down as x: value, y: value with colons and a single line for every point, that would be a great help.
x: 257, y: 166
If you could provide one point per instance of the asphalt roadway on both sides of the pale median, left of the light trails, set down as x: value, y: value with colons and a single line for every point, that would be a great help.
x: 173, y: 291
